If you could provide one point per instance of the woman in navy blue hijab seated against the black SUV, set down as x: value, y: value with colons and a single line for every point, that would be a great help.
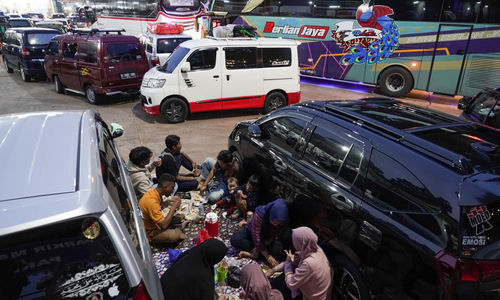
x: 265, y: 234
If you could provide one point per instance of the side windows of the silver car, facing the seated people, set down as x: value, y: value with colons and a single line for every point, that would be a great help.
x: 113, y: 182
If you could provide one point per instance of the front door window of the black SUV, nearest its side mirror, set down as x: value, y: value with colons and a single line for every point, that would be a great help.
x: 284, y: 132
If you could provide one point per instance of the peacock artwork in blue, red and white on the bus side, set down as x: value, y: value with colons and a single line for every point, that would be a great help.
x: 374, y: 41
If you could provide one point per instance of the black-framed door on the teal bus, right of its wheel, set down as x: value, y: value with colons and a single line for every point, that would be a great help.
x: 448, y: 61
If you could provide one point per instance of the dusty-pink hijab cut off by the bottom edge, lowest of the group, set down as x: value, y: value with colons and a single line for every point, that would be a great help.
x: 256, y: 285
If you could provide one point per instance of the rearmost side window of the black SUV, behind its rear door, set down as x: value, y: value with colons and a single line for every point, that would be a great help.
x: 390, y: 186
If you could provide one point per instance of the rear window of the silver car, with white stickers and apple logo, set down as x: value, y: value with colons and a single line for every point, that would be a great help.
x: 71, y: 260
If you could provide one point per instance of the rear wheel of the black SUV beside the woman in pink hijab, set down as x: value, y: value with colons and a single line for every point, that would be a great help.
x: 348, y: 282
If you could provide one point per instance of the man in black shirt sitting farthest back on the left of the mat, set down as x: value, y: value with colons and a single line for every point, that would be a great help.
x: 171, y: 161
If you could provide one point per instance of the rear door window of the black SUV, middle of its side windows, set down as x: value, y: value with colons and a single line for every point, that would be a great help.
x: 326, y: 151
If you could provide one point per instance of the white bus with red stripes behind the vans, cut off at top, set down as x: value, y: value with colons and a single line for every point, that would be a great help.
x: 134, y: 16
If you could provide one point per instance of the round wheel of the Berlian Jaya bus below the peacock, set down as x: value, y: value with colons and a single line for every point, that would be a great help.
x: 395, y: 82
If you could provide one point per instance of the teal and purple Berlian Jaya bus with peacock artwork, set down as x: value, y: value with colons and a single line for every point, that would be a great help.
x: 449, y: 47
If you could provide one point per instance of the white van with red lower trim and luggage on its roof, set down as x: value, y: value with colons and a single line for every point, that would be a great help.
x: 221, y: 74
